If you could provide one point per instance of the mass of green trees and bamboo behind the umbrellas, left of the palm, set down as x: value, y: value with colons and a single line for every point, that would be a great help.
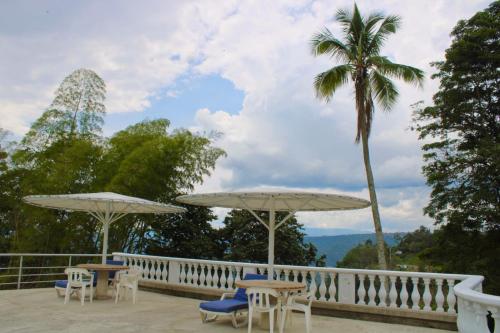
x: 65, y: 152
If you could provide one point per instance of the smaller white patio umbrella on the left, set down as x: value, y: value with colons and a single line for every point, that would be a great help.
x: 106, y: 207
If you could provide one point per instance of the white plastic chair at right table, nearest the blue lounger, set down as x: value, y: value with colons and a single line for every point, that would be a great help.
x: 259, y: 301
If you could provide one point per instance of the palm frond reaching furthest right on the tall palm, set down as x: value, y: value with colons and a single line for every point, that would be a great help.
x: 406, y: 73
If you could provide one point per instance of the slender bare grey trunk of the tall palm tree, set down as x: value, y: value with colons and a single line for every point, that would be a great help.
x: 373, y: 198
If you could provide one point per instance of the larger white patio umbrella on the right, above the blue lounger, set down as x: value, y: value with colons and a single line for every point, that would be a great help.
x: 291, y: 202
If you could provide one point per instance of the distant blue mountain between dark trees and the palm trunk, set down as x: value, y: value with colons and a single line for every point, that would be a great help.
x: 336, y: 247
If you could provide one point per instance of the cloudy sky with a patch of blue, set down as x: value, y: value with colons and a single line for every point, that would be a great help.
x: 242, y: 69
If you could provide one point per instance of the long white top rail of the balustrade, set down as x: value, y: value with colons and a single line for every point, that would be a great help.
x: 319, y: 269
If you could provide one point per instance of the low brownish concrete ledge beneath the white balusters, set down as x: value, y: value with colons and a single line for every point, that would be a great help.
x: 360, y: 312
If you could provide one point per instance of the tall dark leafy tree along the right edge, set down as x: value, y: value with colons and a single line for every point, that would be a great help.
x: 462, y: 149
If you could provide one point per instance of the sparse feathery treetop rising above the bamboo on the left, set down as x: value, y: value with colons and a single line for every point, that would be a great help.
x: 76, y: 111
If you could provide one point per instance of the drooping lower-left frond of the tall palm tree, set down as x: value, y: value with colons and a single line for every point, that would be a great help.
x: 328, y: 82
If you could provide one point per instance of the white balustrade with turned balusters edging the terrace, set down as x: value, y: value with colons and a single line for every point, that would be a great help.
x: 415, y: 291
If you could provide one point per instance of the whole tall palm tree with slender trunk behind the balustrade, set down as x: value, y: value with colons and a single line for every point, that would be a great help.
x: 361, y: 62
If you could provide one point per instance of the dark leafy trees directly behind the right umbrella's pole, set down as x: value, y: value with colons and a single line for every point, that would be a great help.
x: 246, y: 239
